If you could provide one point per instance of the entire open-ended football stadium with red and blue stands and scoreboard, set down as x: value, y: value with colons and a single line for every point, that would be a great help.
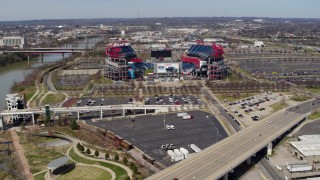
x: 201, y: 60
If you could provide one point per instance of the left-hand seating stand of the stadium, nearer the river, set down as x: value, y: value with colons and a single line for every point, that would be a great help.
x: 120, y: 59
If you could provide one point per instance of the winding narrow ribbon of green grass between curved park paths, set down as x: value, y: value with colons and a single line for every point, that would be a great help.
x: 120, y: 173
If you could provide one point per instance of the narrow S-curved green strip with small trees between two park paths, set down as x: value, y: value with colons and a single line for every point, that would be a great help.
x: 121, y: 174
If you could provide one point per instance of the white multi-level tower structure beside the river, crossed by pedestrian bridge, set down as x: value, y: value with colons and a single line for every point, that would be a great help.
x: 14, y: 103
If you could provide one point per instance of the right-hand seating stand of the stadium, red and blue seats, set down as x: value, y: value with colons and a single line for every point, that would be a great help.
x: 204, y: 60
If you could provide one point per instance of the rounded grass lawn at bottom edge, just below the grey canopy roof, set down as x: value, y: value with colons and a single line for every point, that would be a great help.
x: 86, y: 172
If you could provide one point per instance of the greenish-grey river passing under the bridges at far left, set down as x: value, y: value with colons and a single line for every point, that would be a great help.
x: 17, y: 71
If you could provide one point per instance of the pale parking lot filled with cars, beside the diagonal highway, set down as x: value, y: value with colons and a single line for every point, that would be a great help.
x: 255, y: 108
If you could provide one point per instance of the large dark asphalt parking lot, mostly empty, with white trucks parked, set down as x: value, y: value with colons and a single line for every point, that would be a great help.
x: 149, y: 133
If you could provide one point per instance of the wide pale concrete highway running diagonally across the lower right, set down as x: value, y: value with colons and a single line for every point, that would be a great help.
x: 221, y: 158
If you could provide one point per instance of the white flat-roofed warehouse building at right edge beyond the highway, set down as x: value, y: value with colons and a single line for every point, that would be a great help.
x: 307, y: 148
